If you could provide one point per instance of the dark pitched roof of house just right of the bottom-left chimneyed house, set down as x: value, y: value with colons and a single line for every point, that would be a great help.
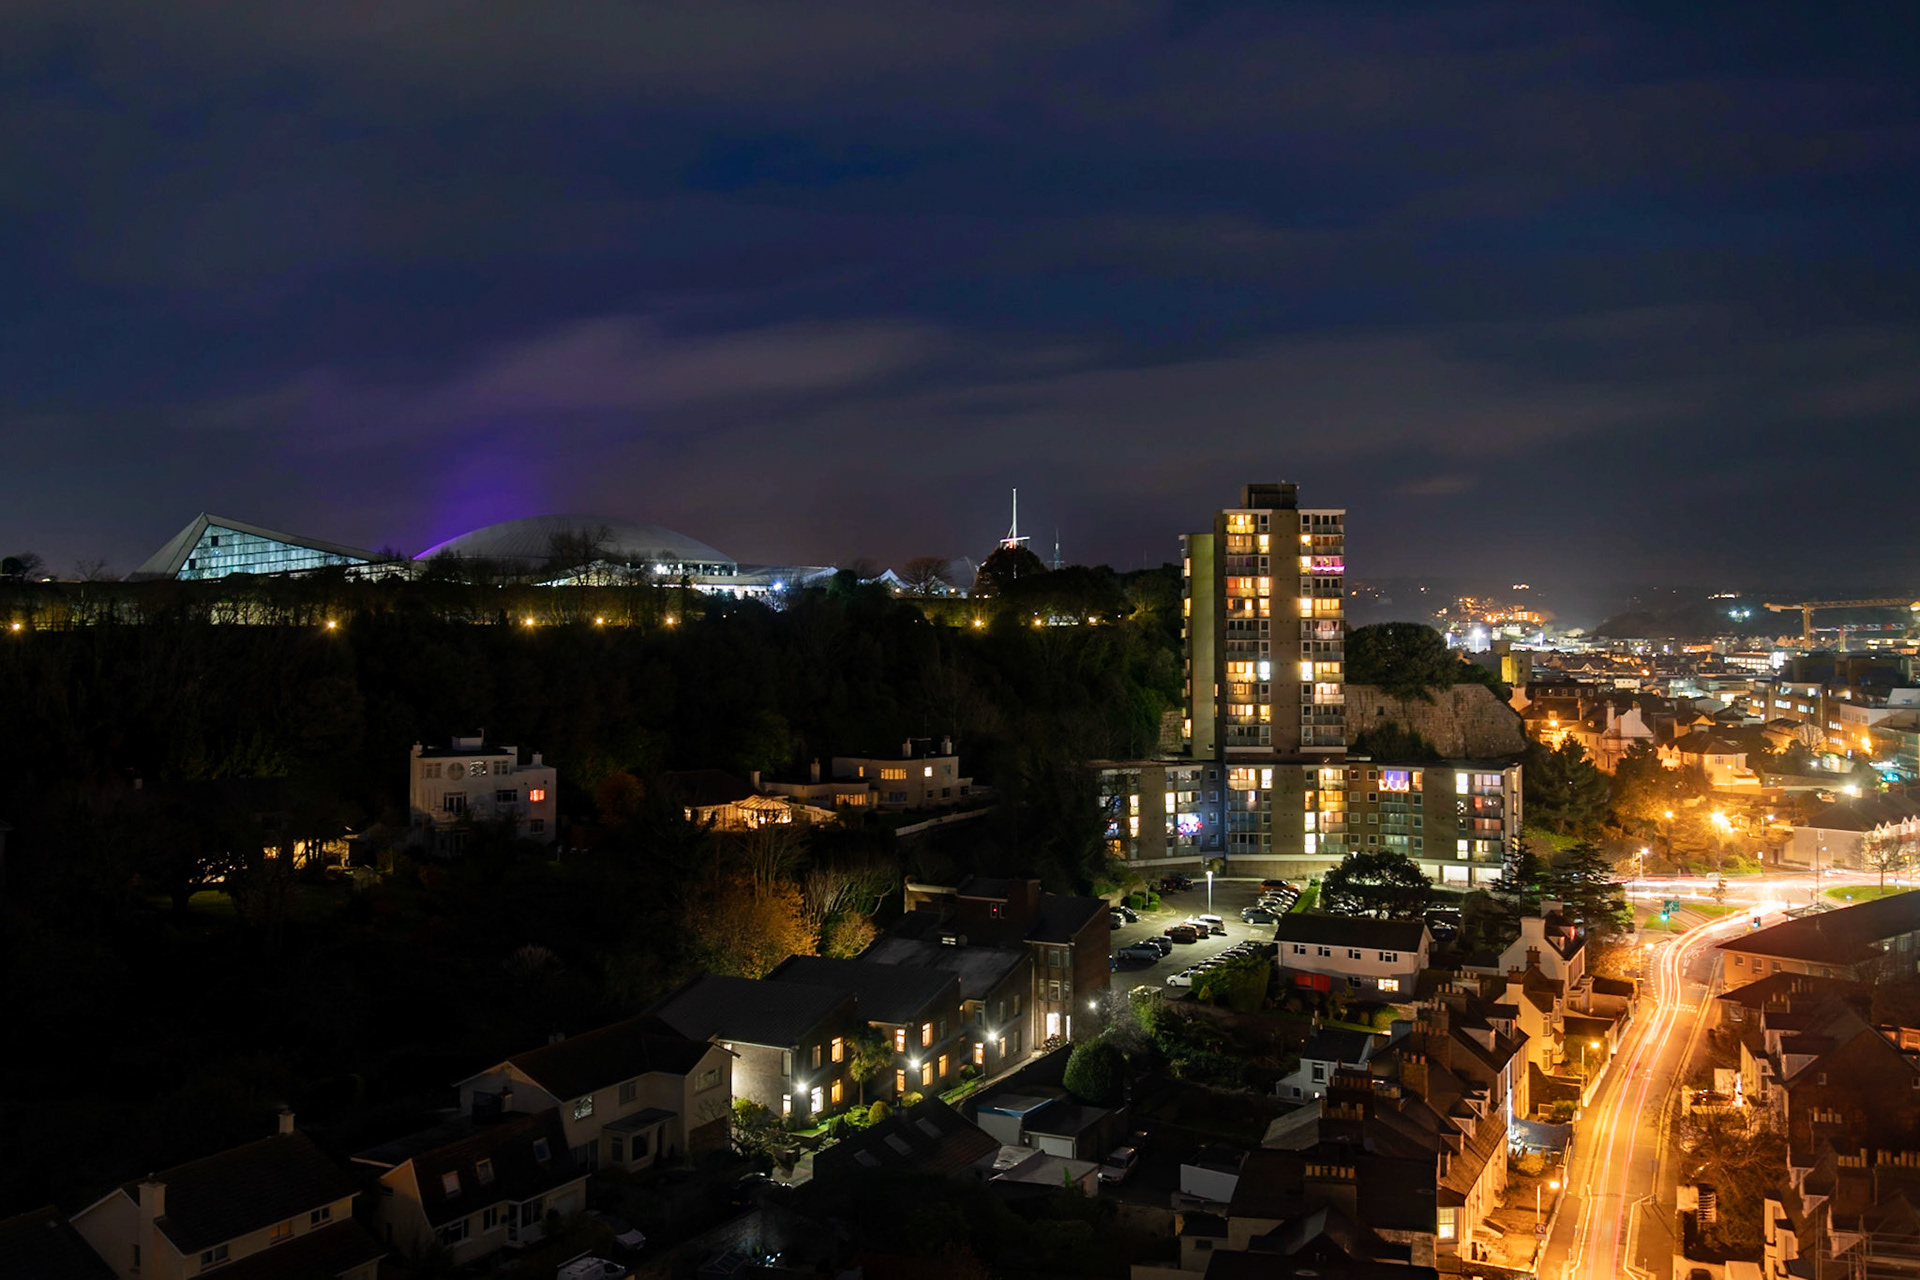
x: 491, y: 1162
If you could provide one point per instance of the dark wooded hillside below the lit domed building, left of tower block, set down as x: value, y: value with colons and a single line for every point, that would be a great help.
x: 166, y: 1024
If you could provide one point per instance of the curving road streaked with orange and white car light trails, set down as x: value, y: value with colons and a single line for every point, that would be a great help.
x: 1618, y: 1143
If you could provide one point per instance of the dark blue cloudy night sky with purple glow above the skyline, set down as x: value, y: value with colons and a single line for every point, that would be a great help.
x: 1566, y: 293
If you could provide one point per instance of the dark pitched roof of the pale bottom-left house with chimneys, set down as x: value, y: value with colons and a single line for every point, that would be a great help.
x: 247, y: 1189
